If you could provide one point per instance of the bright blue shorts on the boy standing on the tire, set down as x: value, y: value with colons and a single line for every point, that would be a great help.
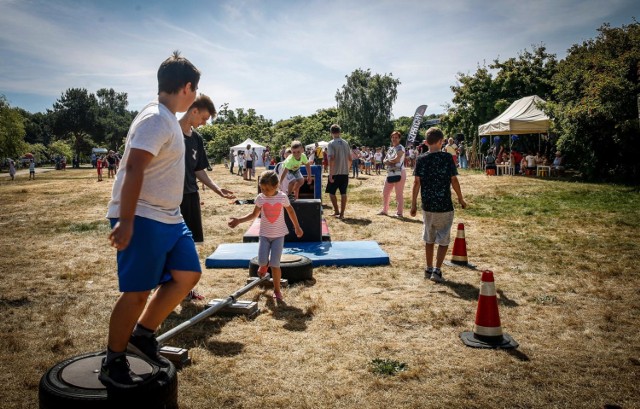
x: 154, y: 250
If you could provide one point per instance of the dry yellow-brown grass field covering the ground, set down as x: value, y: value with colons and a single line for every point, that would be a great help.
x: 565, y: 257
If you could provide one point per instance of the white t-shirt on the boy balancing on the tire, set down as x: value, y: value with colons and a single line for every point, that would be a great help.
x: 157, y: 131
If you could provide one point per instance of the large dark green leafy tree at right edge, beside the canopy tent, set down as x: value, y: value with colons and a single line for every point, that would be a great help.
x: 595, y: 110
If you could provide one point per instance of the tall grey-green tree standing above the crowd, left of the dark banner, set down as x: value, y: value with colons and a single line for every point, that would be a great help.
x: 364, y: 105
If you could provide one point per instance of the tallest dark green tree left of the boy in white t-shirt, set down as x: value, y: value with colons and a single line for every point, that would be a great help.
x: 74, y: 118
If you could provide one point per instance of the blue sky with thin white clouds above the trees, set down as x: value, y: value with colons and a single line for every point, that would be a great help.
x: 282, y: 58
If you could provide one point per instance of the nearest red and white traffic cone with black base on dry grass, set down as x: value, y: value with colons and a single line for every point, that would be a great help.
x: 487, y: 331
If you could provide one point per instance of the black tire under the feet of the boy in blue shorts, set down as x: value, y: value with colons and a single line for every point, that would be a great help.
x: 74, y: 384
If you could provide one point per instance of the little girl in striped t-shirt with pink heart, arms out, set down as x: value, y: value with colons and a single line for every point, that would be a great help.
x: 270, y: 205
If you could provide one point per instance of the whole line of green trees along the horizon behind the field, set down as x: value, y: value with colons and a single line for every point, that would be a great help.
x: 592, y: 97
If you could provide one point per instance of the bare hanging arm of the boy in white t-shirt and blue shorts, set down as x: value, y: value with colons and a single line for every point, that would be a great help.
x: 121, y: 234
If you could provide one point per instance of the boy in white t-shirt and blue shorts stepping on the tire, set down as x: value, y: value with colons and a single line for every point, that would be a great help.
x: 155, y: 247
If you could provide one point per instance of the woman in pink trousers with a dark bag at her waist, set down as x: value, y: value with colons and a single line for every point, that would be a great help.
x: 396, y: 176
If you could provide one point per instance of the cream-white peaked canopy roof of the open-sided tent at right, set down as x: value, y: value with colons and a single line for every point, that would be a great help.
x: 522, y: 117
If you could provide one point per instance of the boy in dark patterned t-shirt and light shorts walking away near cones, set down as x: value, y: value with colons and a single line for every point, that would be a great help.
x: 434, y: 176
